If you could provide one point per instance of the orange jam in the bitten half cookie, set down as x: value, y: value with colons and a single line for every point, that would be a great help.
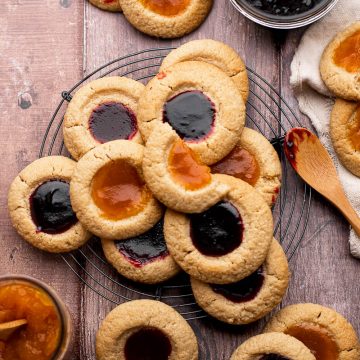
x: 186, y: 168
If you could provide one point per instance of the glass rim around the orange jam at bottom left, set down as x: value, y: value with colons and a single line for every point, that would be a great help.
x: 64, y: 348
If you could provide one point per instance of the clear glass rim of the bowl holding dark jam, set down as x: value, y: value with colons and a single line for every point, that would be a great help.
x: 284, y: 22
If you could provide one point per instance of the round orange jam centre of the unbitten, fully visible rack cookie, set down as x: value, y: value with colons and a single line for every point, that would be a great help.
x: 118, y: 191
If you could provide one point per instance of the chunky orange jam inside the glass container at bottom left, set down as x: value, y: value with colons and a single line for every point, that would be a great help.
x: 40, y: 337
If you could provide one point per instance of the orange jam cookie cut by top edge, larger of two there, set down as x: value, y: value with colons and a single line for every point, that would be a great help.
x: 166, y: 18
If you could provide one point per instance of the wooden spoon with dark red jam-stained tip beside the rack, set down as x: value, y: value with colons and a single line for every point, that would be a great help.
x: 312, y: 162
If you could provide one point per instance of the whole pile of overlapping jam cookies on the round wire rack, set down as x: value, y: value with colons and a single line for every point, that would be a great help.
x: 169, y: 179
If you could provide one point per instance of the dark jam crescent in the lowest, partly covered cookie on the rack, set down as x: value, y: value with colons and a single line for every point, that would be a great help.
x: 243, y: 290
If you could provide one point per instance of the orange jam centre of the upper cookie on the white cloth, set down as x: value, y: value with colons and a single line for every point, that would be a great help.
x: 347, y: 55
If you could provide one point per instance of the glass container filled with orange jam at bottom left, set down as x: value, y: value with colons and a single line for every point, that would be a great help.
x: 43, y: 337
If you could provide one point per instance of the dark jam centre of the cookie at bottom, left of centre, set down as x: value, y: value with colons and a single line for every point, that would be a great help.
x: 148, y: 344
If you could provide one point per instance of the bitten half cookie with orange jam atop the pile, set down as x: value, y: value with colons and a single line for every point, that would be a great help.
x: 175, y: 174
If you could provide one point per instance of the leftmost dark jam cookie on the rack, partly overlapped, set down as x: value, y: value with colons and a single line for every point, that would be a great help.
x: 40, y: 208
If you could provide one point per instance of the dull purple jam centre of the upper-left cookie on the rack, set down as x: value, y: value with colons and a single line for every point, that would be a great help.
x: 112, y: 121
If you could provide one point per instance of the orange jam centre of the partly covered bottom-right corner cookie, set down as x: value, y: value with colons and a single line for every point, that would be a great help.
x: 317, y: 340
